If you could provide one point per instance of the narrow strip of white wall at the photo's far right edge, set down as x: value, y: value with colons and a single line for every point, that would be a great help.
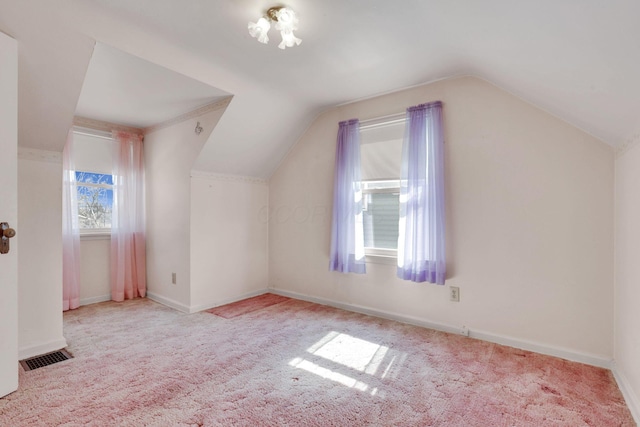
x: 627, y: 273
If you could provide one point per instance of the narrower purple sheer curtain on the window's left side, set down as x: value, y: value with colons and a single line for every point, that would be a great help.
x: 347, y: 240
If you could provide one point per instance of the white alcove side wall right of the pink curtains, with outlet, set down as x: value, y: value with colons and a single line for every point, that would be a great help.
x: 169, y: 155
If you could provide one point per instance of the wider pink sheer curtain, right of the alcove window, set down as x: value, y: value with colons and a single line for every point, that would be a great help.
x: 128, y: 263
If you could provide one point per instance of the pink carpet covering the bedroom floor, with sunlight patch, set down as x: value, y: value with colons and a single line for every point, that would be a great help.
x: 296, y: 363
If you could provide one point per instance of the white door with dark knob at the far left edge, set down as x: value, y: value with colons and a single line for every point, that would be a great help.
x: 9, y: 213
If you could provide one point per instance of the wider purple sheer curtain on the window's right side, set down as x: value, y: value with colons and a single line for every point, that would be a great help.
x: 421, y: 245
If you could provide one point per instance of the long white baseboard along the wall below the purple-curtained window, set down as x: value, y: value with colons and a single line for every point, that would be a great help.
x: 563, y: 353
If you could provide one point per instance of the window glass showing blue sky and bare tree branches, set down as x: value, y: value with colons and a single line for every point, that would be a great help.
x: 95, y: 201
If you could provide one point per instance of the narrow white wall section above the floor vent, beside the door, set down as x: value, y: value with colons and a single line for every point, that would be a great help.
x: 40, y: 260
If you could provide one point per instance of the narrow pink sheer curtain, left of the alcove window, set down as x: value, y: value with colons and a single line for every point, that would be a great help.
x: 70, y: 231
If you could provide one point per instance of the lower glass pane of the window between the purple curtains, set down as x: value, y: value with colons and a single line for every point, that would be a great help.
x: 381, y: 218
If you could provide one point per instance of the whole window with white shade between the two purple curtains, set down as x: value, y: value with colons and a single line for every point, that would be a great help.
x: 381, y: 156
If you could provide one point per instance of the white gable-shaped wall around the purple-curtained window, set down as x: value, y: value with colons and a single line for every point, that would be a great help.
x: 529, y: 224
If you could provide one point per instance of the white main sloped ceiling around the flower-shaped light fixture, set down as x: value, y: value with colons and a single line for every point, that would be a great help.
x: 578, y: 59
